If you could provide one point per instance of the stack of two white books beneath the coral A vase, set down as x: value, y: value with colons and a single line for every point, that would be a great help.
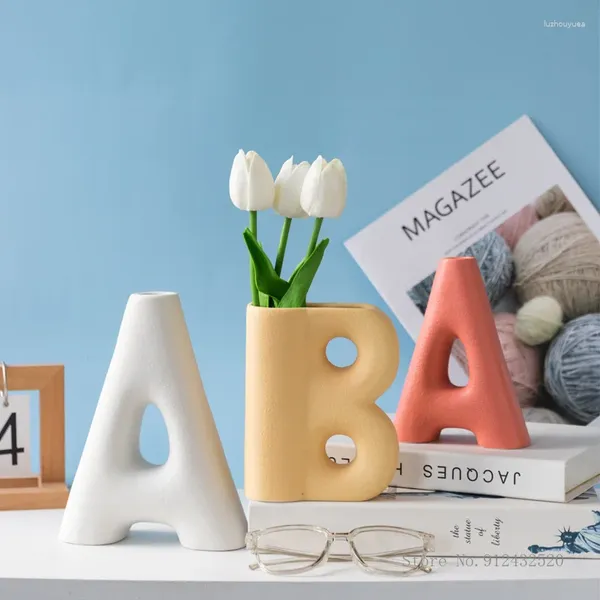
x: 476, y: 501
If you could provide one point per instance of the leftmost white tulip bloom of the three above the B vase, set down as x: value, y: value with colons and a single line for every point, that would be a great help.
x: 251, y: 185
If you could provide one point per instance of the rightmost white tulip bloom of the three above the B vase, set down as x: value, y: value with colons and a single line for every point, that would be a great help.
x: 324, y: 190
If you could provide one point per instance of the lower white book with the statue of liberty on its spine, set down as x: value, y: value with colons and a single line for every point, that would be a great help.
x: 492, y: 529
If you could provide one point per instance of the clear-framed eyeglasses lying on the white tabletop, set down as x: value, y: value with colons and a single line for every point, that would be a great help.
x: 294, y: 549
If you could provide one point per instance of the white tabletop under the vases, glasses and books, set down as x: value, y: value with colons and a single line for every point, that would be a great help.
x: 151, y: 564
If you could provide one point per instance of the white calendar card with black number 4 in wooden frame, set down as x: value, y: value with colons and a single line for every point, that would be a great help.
x: 15, y: 437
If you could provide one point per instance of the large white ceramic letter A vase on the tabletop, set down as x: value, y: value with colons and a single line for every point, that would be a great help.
x: 115, y: 487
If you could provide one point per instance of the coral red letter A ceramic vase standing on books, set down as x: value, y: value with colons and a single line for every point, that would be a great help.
x: 459, y: 308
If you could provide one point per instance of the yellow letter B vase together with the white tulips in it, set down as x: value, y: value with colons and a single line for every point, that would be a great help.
x: 295, y: 398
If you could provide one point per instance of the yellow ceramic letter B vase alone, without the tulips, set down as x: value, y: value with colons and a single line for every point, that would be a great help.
x: 296, y: 400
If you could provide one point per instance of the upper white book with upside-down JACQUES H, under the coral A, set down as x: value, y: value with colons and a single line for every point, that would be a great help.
x: 561, y: 462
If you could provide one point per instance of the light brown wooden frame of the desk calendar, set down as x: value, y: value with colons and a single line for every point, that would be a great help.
x: 48, y: 489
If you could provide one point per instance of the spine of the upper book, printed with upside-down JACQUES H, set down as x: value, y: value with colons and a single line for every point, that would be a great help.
x: 469, y: 473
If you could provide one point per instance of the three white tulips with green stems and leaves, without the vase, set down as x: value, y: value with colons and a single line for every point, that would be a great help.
x: 299, y: 191
